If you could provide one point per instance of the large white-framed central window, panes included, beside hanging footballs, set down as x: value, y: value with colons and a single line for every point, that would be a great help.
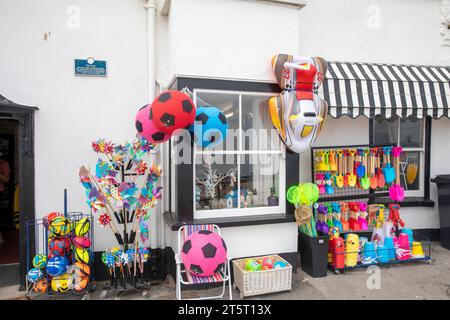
x: 245, y: 174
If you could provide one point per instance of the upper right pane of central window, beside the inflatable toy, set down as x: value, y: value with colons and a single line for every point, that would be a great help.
x: 258, y: 132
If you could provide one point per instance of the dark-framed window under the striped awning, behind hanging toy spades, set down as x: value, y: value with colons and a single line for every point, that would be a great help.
x: 409, y: 134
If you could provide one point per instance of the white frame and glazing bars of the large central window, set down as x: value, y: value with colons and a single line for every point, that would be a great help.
x: 236, y: 212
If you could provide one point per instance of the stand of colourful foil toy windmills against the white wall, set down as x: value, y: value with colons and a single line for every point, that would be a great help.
x: 122, y: 191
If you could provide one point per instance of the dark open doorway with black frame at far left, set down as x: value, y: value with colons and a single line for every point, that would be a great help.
x: 16, y: 189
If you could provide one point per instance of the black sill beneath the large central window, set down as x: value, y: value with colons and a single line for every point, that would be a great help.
x: 171, y: 221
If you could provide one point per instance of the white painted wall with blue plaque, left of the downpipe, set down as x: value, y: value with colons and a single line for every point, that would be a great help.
x: 73, y: 110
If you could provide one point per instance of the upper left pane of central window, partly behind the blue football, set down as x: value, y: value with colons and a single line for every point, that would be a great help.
x: 229, y: 105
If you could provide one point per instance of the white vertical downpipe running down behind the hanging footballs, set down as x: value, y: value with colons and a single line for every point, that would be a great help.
x: 156, y: 224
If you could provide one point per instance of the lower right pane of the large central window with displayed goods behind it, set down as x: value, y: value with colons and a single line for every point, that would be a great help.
x: 260, y: 180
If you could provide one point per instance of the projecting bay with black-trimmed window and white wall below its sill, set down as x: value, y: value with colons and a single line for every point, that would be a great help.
x: 249, y: 204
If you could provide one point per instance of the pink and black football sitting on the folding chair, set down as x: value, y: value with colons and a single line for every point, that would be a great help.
x: 204, y: 253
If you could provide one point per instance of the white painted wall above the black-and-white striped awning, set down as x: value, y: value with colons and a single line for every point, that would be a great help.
x: 409, y: 32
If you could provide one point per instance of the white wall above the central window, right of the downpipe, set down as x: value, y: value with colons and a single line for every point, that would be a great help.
x: 229, y: 38
